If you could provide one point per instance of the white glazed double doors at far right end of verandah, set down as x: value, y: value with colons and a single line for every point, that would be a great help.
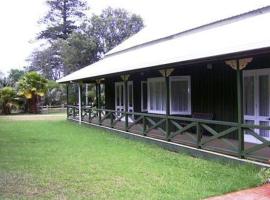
x: 256, y: 85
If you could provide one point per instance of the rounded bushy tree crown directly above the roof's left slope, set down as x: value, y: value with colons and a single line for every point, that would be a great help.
x: 112, y: 27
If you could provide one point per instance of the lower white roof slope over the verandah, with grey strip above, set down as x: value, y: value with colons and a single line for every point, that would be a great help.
x: 242, y: 33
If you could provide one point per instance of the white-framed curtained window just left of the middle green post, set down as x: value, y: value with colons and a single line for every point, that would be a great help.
x: 156, y: 95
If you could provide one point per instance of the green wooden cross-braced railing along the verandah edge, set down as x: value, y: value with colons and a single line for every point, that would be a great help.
x: 218, y: 136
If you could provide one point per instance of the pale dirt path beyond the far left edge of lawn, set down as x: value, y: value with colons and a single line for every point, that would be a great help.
x: 32, y: 117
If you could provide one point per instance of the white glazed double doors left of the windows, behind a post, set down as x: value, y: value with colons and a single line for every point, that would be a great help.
x: 120, y: 98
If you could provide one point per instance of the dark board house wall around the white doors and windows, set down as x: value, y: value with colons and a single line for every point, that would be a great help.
x: 213, y: 87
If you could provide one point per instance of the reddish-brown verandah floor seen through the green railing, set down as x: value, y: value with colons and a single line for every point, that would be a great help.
x: 224, y: 145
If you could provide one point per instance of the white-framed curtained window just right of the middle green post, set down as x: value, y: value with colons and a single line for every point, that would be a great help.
x: 180, y: 95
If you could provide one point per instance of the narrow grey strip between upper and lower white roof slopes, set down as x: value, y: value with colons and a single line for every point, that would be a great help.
x: 220, y: 22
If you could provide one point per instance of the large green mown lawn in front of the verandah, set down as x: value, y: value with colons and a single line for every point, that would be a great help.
x: 62, y: 160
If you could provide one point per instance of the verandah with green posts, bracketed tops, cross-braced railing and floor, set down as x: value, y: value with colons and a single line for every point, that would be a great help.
x: 196, y: 132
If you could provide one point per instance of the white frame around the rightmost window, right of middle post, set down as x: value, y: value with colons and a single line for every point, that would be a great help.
x: 181, y: 78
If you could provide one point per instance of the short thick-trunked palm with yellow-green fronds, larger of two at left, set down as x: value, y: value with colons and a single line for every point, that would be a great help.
x: 32, y: 86
